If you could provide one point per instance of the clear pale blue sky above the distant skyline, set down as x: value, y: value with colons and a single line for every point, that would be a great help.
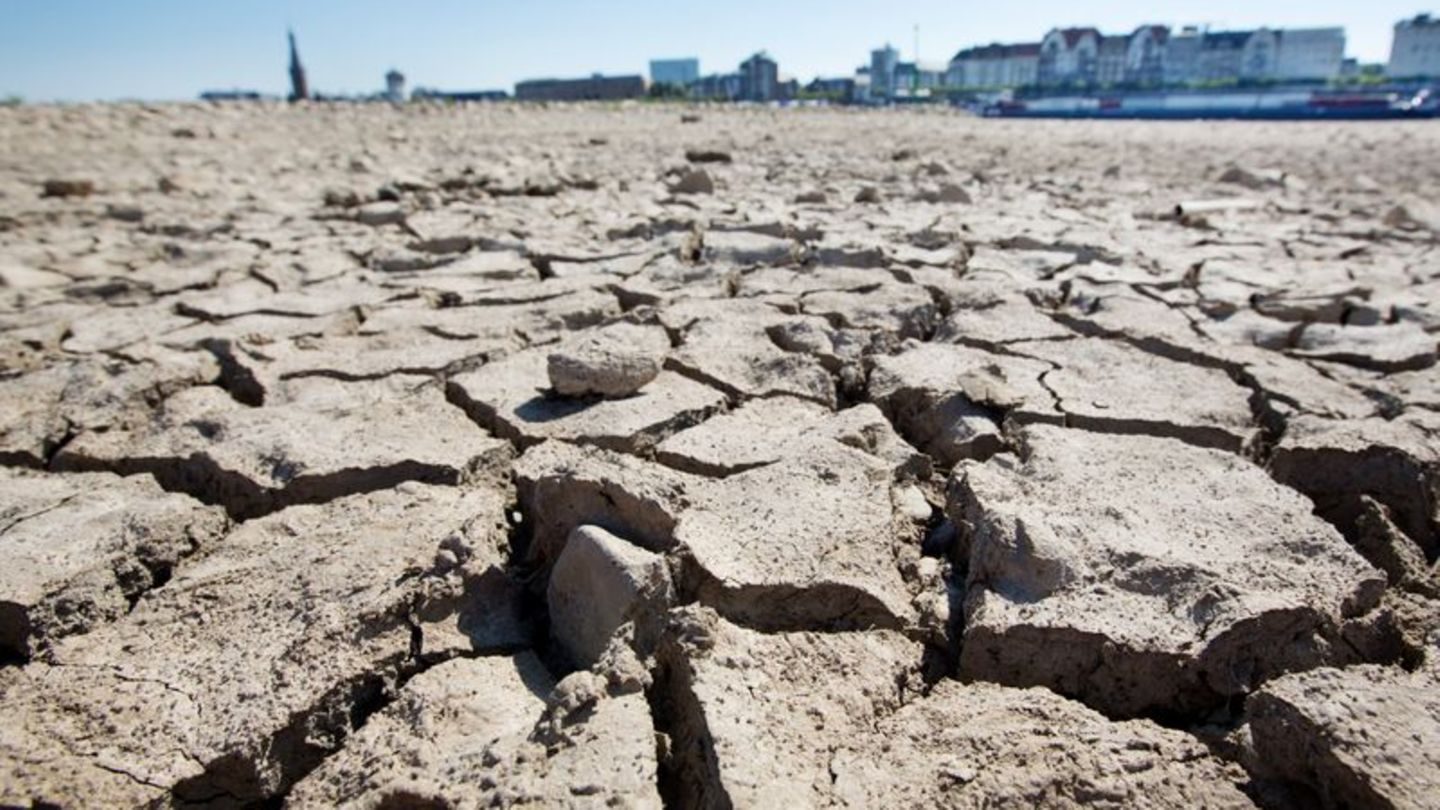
x: 172, y: 50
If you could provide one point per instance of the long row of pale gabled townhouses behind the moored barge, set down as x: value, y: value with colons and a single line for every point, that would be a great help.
x: 1153, y: 55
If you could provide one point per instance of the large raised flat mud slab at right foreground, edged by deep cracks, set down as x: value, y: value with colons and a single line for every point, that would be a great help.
x: 1082, y: 580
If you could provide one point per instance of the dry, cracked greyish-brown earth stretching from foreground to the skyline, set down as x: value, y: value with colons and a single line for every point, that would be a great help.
x: 702, y: 458
